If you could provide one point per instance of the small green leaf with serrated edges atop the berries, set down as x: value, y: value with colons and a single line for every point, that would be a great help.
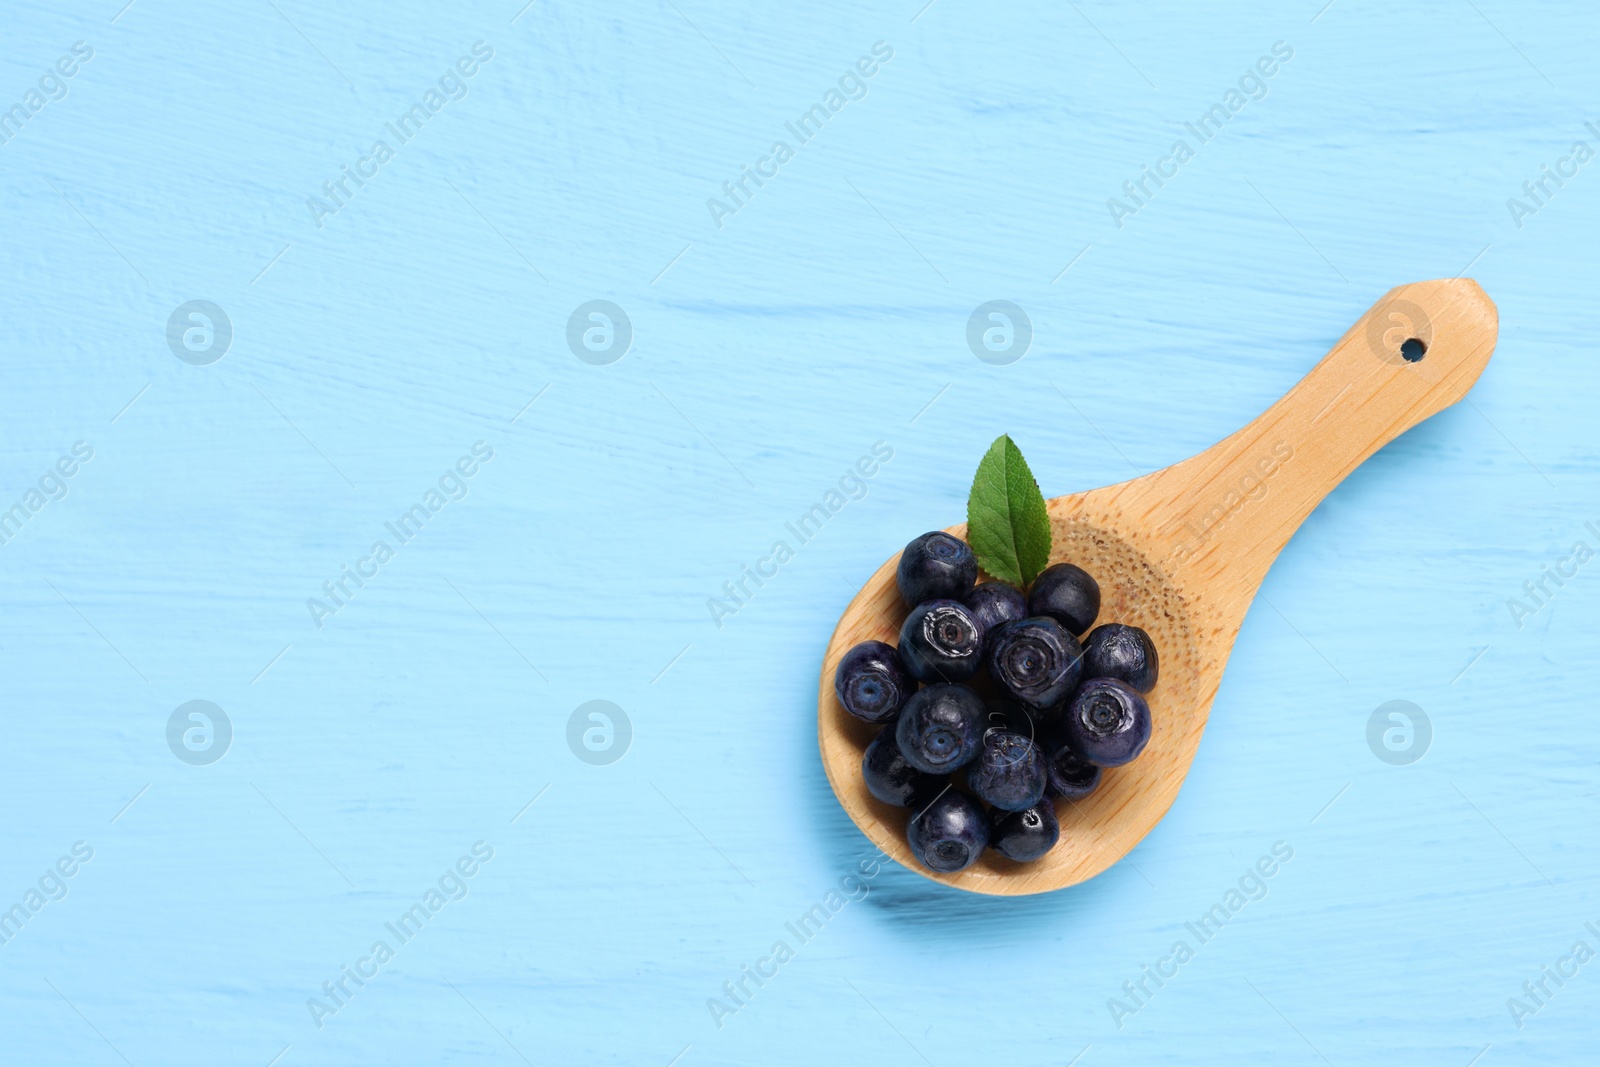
x: 1006, y: 516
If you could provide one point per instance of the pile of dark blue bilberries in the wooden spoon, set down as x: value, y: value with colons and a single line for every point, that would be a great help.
x: 994, y: 682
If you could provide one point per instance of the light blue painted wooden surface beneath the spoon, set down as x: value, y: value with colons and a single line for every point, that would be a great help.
x: 370, y: 353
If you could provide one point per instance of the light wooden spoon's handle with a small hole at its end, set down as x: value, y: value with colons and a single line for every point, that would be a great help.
x: 1222, y: 518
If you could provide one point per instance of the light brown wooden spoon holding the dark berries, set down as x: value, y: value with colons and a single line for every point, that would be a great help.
x: 1182, y: 554
